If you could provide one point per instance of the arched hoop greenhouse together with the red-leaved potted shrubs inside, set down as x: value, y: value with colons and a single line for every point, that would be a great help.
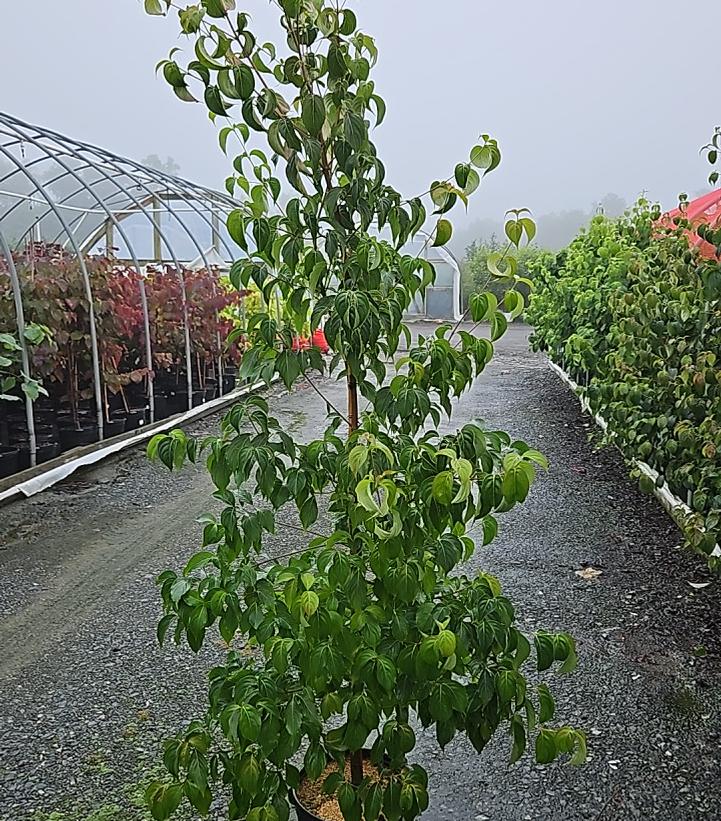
x: 111, y: 289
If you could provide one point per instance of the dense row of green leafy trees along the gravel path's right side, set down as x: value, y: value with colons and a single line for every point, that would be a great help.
x: 632, y: 312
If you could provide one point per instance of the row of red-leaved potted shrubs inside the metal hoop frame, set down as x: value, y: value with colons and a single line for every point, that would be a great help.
x: 54, y: 297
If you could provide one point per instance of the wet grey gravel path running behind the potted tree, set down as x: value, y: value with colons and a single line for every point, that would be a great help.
x: 85, y: 693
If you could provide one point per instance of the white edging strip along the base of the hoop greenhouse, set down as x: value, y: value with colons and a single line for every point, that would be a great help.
x: 51, y: 477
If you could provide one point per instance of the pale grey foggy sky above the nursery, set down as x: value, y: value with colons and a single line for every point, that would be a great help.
x: 584, y: 98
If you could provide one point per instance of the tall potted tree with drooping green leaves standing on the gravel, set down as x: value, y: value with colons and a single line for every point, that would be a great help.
x: 339, y: 653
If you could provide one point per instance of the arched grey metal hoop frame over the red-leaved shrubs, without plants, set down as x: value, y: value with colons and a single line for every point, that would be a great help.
x: 101, y: 190
